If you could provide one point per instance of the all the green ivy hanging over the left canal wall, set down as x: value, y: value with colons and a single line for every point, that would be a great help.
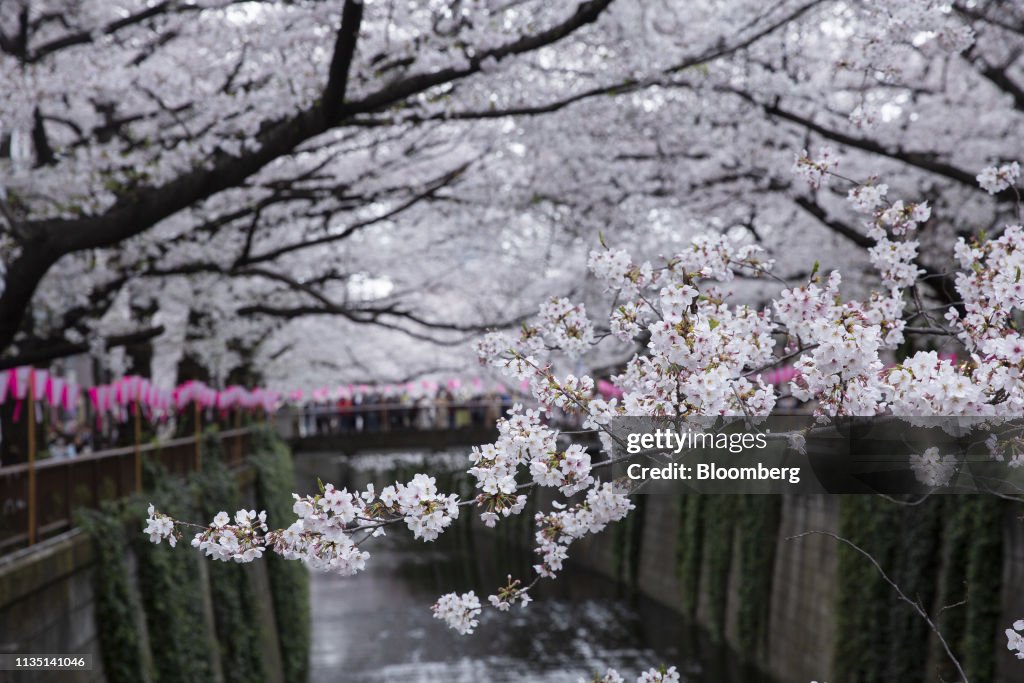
x: 199, y: 631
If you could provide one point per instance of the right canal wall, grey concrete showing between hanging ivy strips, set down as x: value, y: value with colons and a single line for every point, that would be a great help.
x: 803, y: 623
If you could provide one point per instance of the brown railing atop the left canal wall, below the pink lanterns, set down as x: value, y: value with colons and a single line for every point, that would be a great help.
x: 39, y: 499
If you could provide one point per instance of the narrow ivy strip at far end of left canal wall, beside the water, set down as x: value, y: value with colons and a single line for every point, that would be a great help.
x: 289, y: 580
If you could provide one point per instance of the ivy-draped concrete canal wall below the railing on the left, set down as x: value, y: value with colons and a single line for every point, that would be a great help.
x: 153, y: 613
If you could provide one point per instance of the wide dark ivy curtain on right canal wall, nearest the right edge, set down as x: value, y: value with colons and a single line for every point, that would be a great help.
x: 947, y: 553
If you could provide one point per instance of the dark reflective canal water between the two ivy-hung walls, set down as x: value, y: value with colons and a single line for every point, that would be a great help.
x: 378, y: 626
